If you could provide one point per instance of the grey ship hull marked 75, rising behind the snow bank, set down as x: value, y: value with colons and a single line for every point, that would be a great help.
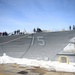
x: 40, y: 45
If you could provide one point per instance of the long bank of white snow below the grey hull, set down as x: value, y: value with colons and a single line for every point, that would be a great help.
x: 48, y: 65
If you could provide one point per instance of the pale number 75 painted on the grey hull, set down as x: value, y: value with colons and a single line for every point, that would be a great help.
x: 40, y: 39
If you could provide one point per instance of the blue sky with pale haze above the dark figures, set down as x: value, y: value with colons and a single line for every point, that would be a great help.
x: 29, y: 14
